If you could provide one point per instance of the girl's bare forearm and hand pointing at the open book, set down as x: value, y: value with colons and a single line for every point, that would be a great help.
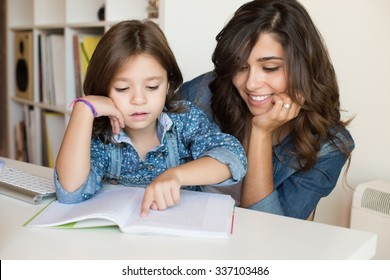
x: 164, y: 191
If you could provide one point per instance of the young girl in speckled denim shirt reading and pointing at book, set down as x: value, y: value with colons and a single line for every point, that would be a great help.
x: 141, y: 135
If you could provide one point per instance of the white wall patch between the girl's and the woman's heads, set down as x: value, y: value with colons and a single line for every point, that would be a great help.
x: 191, y: 27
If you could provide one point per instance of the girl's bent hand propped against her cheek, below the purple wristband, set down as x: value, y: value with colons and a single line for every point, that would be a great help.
x: 104, y: 106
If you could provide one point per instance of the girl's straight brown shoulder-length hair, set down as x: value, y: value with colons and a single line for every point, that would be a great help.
x: 122, y: 41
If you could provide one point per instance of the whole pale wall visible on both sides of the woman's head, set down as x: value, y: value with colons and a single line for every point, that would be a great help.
x: 357, y: 33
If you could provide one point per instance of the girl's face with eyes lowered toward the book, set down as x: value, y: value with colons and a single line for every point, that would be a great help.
x: 139, y: 92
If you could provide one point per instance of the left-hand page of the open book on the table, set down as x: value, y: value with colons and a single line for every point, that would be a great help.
x: 114, y: 205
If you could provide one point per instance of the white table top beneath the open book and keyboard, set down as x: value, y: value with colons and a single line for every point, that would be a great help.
x: 256, y: 236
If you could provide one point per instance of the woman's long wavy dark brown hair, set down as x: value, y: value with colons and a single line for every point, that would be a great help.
x: 309, y: 70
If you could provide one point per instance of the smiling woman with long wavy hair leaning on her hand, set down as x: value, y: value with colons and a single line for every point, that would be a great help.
x: 274, y: 88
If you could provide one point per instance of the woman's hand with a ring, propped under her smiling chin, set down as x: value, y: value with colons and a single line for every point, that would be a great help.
x: 283, y: 111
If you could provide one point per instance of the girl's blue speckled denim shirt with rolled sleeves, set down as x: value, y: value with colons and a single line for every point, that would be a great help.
x: 183, y: 136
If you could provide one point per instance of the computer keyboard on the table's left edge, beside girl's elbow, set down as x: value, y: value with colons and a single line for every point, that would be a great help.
x: 25, y: 186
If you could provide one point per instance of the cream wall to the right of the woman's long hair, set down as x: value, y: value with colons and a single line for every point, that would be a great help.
x: 357, y: 33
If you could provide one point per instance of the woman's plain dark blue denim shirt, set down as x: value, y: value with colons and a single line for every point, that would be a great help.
x: 296, y: 194
